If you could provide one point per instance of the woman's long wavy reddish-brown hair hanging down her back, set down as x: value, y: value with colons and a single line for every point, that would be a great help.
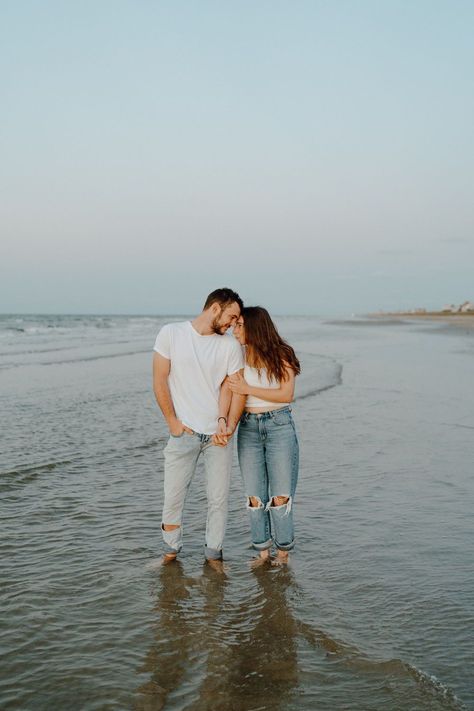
x: 265, y: 347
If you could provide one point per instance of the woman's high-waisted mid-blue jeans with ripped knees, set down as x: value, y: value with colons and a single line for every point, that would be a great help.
x: 269, y: 458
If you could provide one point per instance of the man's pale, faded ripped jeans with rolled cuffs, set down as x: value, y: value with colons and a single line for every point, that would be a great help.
x: 181, y: 457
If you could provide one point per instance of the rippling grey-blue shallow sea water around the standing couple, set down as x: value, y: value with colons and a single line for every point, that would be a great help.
x: 376, y: 608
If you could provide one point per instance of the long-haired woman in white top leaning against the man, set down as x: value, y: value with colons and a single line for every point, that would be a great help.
x: 267, y: 443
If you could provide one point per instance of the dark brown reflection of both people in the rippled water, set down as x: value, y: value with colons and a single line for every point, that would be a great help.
x: 218, y: 651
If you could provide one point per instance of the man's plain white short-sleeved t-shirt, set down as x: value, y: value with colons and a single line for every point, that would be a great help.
x: 199, y: 364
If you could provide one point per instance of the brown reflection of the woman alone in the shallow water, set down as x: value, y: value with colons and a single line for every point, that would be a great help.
x: 252, y: 656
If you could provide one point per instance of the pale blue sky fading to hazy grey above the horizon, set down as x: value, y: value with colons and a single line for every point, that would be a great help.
x: 315, y: 156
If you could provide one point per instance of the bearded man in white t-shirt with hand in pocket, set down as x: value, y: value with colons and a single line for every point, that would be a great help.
x: 191, y: 361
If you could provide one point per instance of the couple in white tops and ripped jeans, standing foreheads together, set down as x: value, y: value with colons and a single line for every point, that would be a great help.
x: 206, y: 382
